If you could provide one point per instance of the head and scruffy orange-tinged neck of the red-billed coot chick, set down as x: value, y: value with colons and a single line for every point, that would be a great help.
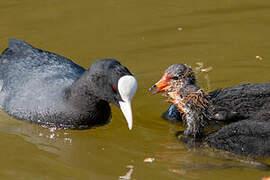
x: 178, y: 83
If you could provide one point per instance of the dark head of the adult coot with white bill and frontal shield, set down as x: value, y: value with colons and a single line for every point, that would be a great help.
x: 114, y: 84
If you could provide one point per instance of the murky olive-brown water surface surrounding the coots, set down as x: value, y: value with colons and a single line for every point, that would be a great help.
x: 146, y: 36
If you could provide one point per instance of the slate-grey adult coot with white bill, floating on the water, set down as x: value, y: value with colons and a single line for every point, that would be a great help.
x: 49, y: 89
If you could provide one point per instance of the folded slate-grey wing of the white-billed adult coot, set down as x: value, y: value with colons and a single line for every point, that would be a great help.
x: 31, y: 77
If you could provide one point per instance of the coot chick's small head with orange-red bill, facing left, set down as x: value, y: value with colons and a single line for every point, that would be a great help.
x: 176, y: 76
